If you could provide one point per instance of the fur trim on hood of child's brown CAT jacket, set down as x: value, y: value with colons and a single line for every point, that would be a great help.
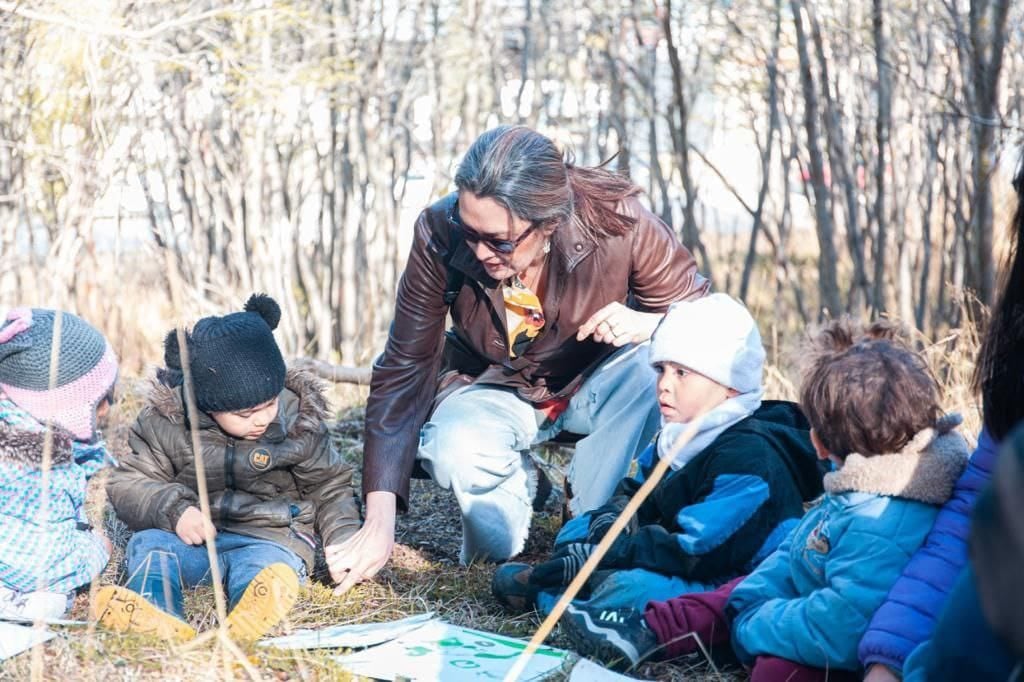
x: 304, y: 407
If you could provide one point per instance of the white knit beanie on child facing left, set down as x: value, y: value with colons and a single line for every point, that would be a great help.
x: 715, y: 336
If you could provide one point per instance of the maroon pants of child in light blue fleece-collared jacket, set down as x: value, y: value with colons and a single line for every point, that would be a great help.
x: 678, y: 624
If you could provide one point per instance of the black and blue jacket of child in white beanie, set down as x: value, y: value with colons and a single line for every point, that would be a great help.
x: 730, y: 507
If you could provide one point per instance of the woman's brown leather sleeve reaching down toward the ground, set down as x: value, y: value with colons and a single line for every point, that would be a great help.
x: 407, y: 373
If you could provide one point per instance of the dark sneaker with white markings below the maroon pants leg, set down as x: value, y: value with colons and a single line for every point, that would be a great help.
x: 617, y: 637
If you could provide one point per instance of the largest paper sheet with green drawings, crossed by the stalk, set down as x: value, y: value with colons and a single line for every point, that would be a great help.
x: 449, y: 654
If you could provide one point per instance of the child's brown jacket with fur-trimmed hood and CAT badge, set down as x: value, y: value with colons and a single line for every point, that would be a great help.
x: 291, y: 487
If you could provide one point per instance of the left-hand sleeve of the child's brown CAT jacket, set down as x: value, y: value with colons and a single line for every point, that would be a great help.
x: 142, y: 488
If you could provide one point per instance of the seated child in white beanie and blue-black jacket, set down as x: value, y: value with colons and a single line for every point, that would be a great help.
x: 734, y: 493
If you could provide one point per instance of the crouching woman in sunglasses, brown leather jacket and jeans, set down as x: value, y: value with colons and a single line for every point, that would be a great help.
x: 551, y: 274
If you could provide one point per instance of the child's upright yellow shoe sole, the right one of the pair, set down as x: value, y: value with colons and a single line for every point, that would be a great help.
x: 267, y: 601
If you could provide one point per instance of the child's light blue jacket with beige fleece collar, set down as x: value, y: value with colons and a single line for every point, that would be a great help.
x: 812, y: 601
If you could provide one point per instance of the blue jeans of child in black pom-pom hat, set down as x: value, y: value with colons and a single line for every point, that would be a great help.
x: 159, y: 563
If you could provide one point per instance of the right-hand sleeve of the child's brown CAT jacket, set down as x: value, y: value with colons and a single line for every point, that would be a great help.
x: 326, y: 480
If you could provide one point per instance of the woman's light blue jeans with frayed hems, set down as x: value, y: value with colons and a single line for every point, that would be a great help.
x: 477, y: 445
